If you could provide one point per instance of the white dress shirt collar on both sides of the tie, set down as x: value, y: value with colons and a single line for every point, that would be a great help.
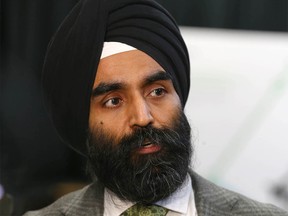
x: 180, y: 203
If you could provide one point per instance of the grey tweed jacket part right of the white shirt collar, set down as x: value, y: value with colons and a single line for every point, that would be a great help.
x: 211, y: 198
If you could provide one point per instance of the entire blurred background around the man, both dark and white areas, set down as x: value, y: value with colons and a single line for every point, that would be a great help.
x: 237, y: 105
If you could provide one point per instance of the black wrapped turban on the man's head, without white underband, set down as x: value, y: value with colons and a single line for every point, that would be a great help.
x: 74, y: 52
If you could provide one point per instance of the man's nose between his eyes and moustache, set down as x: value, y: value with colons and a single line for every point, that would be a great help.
x: 140, y: 113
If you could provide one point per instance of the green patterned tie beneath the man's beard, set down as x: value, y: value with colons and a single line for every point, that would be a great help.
x: 145, y: 210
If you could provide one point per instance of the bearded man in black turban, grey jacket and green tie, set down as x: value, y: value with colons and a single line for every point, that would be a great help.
x: 116, y: 79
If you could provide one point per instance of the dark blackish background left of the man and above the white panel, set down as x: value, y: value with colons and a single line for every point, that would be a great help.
x: 33, y: 159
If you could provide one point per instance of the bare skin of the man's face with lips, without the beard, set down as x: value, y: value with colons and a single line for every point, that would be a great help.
x: 131, y: 90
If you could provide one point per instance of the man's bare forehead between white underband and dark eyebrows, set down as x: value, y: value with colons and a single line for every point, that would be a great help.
x: 125, y: 67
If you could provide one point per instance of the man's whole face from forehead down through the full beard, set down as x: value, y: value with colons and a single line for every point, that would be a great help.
x: 139, y: 145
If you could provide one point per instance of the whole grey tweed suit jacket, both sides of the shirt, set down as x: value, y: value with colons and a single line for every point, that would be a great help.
x: 211, y: 200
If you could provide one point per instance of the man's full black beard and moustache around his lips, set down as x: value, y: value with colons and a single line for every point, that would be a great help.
x: 144, y: 178
